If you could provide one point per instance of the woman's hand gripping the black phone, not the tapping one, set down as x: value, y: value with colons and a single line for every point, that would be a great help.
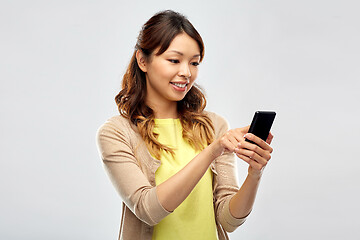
x: 256, y: 155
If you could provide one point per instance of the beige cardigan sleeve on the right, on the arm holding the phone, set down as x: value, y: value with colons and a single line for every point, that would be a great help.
x: 226, y: 182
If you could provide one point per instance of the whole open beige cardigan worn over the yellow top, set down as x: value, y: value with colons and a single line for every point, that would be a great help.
x: 131, y: 169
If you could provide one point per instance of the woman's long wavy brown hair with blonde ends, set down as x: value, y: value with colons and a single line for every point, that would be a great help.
x: 158, y: 32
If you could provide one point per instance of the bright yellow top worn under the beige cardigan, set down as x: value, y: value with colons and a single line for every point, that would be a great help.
x: 194, y: 218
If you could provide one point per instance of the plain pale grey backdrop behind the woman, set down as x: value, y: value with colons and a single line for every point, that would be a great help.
x: 61, y: 64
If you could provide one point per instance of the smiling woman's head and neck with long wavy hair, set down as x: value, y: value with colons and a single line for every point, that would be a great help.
x: 166, y: 54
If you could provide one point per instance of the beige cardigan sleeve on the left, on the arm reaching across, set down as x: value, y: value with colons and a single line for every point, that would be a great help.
x: 130, y: 182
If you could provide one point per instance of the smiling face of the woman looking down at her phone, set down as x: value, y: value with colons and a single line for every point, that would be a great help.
x: 171, y: 75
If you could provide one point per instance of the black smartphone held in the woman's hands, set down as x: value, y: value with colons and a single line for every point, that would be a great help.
x: 261, y: 124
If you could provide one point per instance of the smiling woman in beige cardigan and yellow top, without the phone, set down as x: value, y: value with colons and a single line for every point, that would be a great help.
x: 173, y: 163
